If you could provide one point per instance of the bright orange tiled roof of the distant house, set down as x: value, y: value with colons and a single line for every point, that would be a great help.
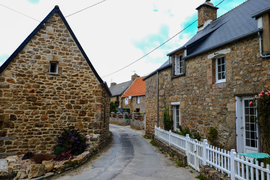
x: 136, y: 89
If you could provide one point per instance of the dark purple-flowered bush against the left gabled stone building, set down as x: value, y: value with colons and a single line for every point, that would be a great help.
x: 70, y: 140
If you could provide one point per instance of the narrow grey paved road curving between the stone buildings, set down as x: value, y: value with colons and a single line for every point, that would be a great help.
x: 131, y: 157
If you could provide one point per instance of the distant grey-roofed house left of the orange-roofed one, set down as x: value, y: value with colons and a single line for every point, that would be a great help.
x: 117, y: 90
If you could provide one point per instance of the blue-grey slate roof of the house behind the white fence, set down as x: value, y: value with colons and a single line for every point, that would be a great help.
x: 233, y: 25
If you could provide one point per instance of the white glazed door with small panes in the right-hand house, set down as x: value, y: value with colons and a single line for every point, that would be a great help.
x: 250, y: 135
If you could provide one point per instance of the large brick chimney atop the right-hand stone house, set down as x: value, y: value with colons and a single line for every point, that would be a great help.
x: 206, y: 11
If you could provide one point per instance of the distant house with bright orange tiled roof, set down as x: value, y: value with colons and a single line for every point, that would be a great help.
x: 134, y: 97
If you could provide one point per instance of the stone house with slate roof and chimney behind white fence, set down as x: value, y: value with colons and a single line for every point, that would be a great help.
x: 210, y: 80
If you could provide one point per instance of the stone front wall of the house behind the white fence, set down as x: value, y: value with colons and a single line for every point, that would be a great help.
x: 204, y: 104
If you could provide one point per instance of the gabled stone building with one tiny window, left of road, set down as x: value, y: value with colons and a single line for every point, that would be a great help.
x: 48, y: 84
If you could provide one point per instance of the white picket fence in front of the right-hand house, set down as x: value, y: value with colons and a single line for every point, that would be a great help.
x: 201, y: 153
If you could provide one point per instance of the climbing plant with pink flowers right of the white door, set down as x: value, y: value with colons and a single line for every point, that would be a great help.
x: 263, y: 111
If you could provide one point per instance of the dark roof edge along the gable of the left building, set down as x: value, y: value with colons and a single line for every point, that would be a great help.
x: 25, y: 42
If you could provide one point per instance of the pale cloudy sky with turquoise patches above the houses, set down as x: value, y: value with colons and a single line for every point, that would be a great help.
x: 113, y: 33
